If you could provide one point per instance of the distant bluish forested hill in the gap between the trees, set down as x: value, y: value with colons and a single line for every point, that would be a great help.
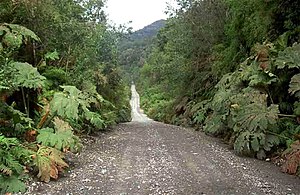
x: 134, y: 48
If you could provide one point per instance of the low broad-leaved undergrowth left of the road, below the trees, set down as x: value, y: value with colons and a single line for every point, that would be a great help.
x: 42, y: 115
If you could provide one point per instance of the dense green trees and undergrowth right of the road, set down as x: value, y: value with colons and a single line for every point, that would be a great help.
x: 232, y: 69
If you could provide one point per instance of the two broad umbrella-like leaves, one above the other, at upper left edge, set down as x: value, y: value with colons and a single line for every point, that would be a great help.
x: 16, y: 74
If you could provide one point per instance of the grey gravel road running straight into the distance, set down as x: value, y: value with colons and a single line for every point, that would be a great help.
x: 145, y: 157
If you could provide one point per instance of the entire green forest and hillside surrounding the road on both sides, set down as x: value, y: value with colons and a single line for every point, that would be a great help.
x: 230, y: 68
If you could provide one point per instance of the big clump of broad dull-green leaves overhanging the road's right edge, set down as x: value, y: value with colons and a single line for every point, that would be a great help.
x: 240, y: 108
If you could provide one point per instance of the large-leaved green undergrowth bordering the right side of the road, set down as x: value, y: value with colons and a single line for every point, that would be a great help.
x: 255, y: 109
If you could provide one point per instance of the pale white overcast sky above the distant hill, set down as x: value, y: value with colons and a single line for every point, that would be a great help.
x: 140, y: 12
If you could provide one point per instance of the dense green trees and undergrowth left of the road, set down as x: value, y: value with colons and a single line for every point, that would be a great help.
x: 58, y: 80
